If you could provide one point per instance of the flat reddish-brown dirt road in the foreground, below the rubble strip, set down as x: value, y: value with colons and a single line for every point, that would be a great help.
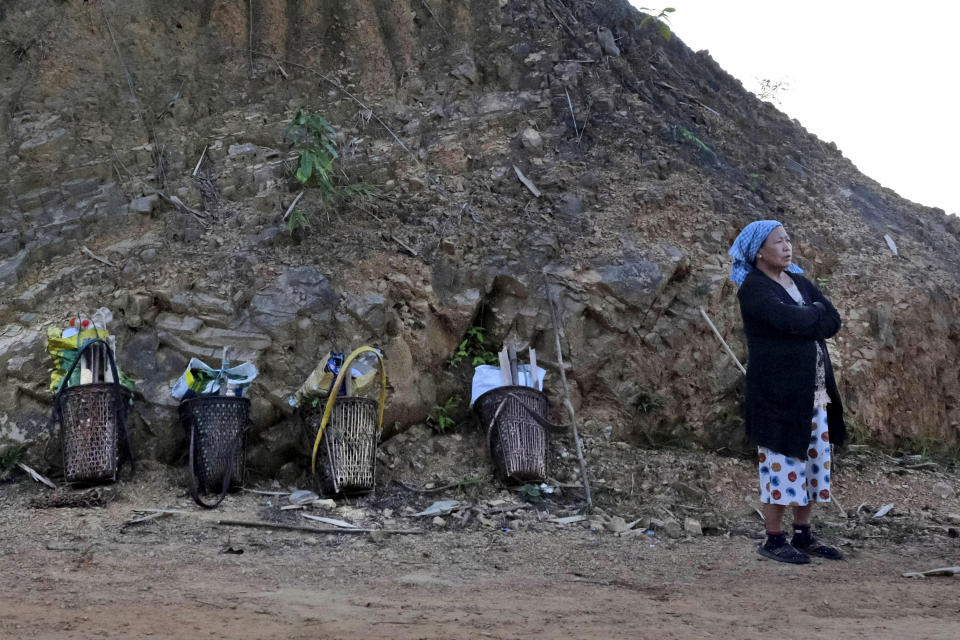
x: 461, y: 585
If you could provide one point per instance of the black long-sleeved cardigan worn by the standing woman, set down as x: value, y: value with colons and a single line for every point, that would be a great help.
x: 781, y: 371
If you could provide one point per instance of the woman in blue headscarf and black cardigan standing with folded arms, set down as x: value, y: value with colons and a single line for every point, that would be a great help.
x: 793, y: 408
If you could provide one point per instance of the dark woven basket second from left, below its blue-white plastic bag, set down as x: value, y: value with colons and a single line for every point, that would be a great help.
x: 217, y: 424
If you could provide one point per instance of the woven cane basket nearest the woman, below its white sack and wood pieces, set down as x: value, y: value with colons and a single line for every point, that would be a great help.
x: 518, y: 444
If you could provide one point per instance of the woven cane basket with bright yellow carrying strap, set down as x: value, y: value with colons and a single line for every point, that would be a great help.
x: 346, y: 437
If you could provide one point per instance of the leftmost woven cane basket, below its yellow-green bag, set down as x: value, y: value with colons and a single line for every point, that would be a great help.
x: 90, y: 419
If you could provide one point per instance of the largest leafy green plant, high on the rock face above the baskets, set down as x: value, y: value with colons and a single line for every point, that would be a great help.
x: 317, y: 168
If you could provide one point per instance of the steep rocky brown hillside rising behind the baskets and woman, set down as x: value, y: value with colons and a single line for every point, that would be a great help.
x: 107, y: 108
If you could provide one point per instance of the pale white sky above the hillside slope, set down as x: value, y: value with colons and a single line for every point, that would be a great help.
x: 877, y: 78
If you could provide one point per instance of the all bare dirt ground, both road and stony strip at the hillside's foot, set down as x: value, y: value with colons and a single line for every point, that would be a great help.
x: 496, y: 568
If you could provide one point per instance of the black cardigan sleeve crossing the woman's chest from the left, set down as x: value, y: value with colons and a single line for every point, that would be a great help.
x: 807, y: 321
